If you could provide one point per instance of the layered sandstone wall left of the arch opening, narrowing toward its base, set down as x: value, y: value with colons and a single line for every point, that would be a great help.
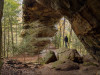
x: 39, y: 24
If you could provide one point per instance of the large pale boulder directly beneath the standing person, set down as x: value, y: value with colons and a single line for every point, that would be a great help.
x: 71, y: 54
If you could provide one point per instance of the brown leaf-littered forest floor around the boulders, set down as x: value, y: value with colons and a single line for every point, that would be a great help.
x: 25, y: 66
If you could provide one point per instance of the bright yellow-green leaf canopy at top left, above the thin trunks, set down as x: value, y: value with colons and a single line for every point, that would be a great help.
x: 11, y: 10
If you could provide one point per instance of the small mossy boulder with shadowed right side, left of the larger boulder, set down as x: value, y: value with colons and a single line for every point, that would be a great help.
x: 50, y: 57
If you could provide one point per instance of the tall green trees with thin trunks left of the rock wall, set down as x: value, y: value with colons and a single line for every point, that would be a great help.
x: 10, y: 21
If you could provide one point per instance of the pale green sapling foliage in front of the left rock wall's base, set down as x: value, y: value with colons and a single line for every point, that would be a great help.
x: 26, y: 46
